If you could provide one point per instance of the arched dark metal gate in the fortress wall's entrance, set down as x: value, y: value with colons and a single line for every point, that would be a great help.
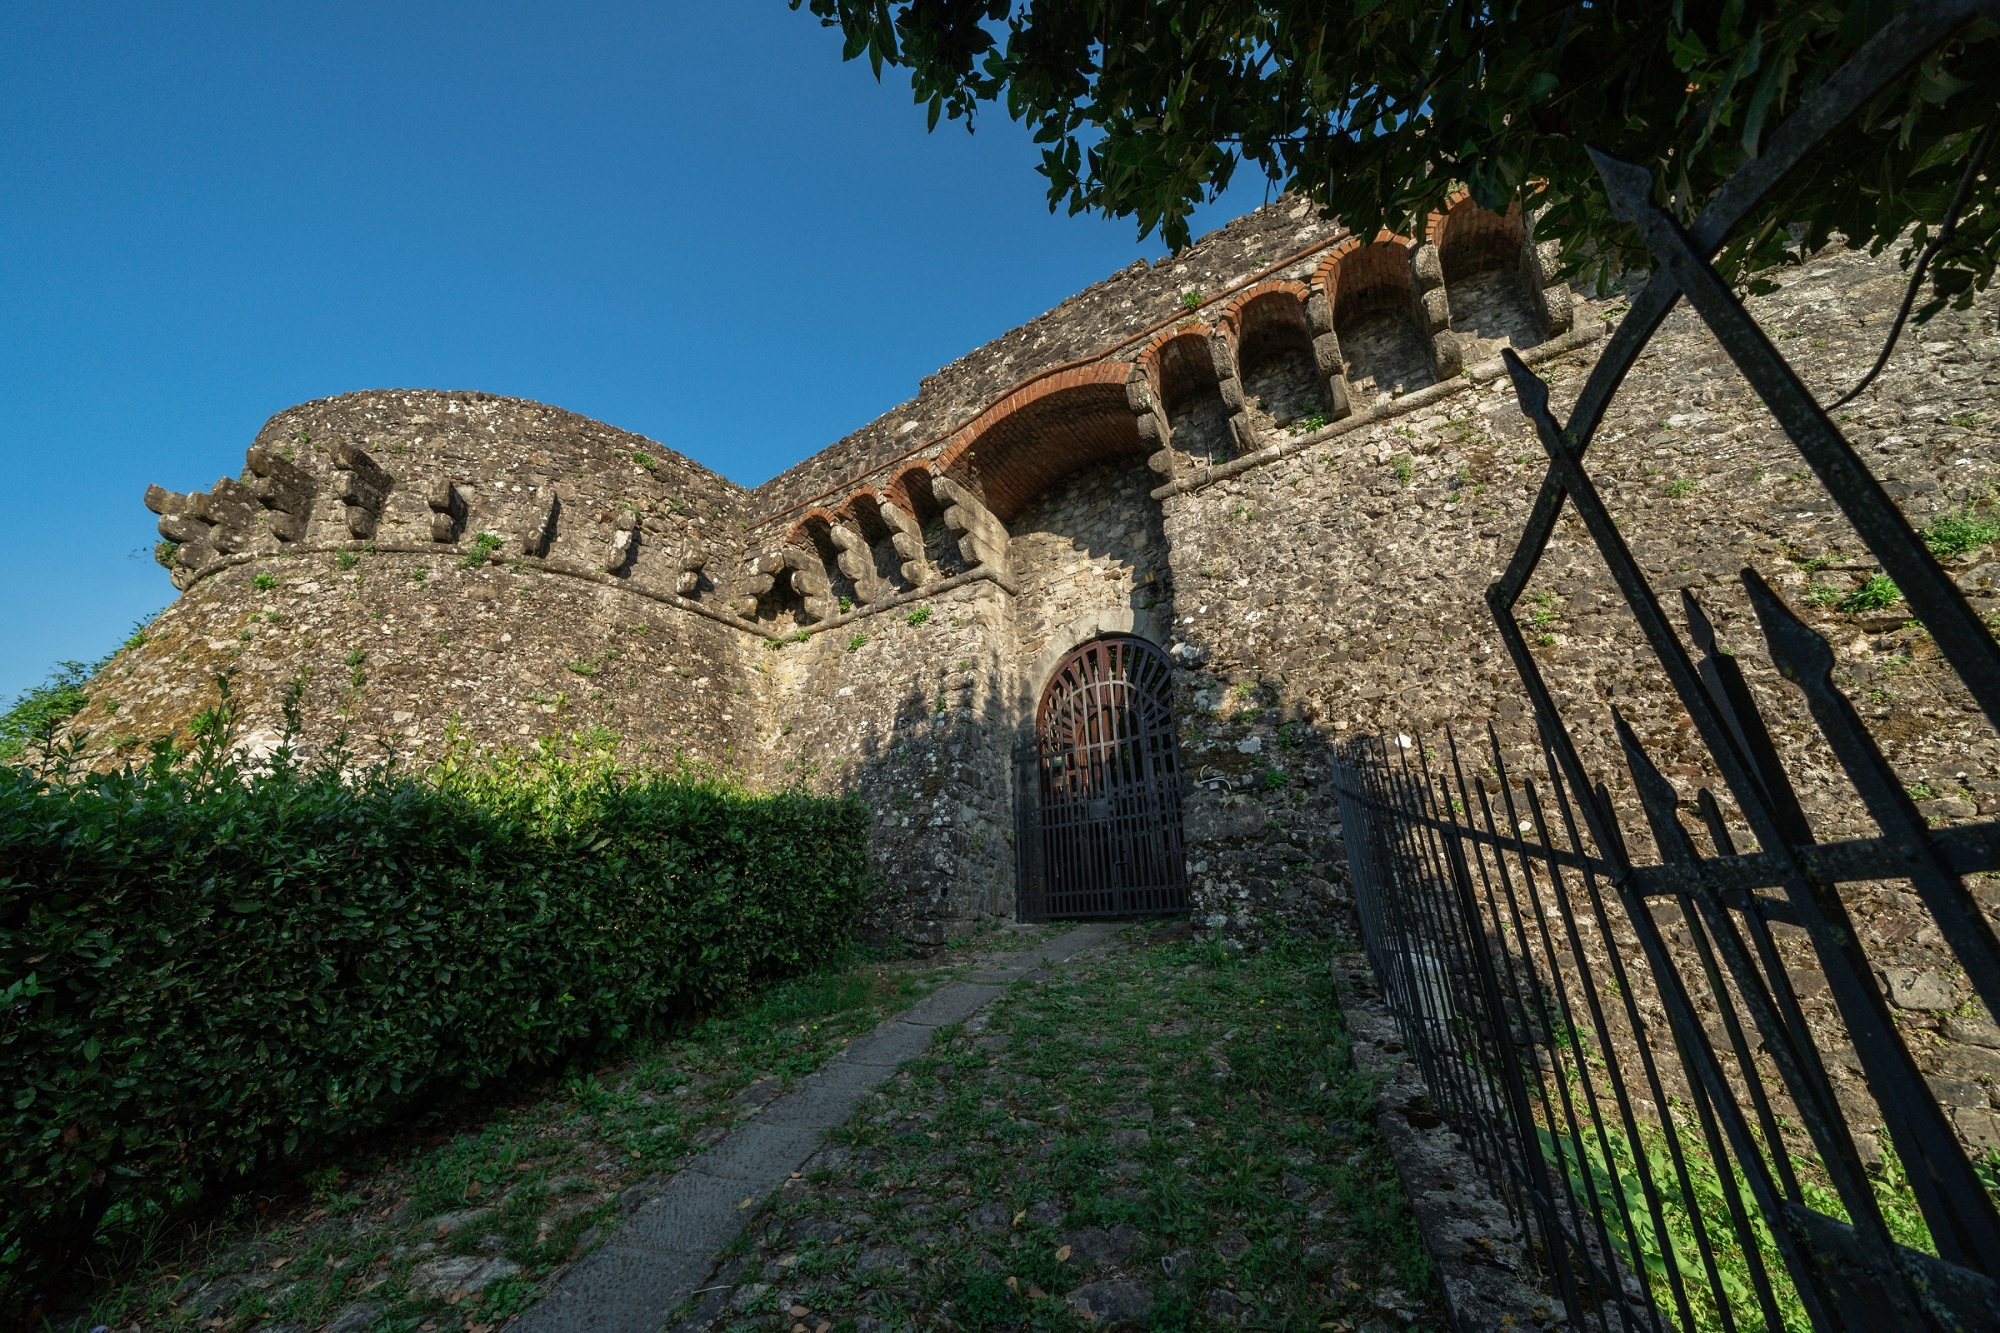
x: 1101, y: 790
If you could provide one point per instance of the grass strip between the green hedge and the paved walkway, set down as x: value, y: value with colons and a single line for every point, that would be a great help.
x: 533, y: 1180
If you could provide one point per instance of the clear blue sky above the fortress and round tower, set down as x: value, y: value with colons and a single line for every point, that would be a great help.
x: 691, y: 221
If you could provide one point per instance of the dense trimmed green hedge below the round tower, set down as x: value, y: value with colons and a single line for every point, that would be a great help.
x: 207, y: 970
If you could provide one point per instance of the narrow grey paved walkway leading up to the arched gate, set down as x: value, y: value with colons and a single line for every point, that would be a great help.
x: 667, y: 1250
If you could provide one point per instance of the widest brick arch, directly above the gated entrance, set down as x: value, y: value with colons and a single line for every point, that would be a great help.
x: 1043, y: 433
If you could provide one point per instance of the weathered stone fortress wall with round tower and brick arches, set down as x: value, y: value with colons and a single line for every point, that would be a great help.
x: 1287, y: 457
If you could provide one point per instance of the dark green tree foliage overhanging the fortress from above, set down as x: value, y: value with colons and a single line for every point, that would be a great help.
x: 1379, y: 109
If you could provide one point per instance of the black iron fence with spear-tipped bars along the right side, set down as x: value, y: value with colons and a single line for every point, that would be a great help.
x: 1621, y: 1044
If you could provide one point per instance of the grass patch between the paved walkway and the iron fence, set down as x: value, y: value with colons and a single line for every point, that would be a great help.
x: 1171, y: 1114
